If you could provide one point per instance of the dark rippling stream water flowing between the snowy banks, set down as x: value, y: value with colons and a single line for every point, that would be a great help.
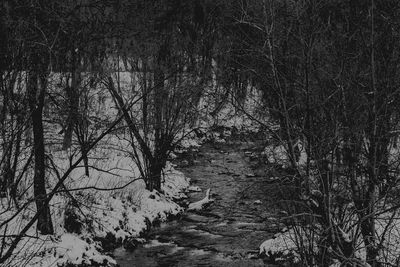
x: 227, y: 233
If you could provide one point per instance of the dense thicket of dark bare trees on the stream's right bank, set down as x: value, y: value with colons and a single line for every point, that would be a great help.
x: 326, y: 87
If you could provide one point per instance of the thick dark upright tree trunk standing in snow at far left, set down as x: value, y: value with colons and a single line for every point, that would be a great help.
x: 36, y: 92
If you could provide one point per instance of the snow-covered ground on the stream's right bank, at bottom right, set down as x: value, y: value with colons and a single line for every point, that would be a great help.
x: 289, y: 245
